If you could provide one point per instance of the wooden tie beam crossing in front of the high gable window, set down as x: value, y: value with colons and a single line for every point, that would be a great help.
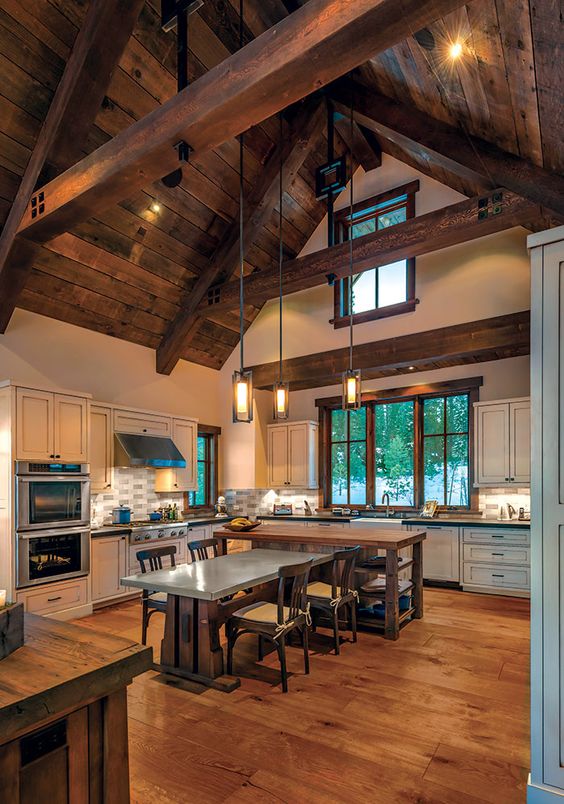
x: 452, y: 225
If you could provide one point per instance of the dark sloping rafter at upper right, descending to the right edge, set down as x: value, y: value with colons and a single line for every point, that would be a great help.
x: 469, y: 156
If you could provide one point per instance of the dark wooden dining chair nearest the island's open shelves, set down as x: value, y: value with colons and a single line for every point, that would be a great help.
x: 330, y: 598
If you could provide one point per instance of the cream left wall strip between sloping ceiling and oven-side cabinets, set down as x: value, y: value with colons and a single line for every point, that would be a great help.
x: 39, y: 351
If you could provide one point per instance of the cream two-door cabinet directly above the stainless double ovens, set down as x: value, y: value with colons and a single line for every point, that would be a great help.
x: 51, y: 426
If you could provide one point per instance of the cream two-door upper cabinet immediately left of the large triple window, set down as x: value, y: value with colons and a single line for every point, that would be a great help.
x: 292, y: 455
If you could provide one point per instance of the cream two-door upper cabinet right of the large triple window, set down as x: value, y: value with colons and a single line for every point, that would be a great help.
x: 502, y: 442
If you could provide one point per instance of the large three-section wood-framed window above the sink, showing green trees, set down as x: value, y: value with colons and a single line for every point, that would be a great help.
x: 413, y: 448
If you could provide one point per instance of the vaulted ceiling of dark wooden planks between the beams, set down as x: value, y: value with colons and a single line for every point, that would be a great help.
x: 126, y: 271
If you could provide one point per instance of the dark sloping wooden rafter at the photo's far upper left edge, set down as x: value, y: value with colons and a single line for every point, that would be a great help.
x: 97, y: 49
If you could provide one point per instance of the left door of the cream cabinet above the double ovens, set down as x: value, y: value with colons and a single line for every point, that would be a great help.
x: 34, y: 425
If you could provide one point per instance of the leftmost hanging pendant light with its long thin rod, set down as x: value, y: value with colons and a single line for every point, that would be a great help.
x: 242, y: 380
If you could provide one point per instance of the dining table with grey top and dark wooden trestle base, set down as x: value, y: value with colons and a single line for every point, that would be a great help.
x: 199, y: 602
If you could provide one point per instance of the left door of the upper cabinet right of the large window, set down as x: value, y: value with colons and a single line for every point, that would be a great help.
x: 492, y: 447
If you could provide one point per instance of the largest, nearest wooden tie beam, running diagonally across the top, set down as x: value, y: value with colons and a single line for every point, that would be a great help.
x: 305, y: 51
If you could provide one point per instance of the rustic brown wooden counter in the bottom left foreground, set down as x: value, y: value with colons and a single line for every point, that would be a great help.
x: 63, y: 714
